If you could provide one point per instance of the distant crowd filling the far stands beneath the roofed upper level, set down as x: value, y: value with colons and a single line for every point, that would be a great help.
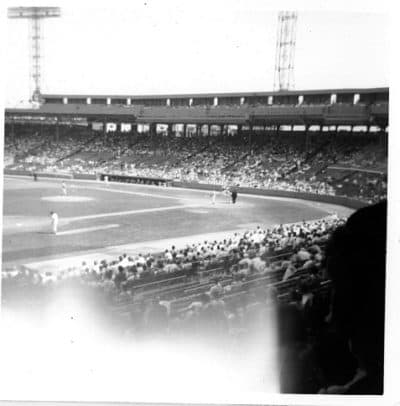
x: 284, y: 162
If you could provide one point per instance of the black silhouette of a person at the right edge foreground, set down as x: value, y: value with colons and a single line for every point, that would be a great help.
x: 356, y: 262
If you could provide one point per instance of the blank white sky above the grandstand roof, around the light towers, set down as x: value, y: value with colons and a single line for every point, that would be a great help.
x: 153, y: 47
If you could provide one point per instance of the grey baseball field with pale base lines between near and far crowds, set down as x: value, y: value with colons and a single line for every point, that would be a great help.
x: 94, y: 216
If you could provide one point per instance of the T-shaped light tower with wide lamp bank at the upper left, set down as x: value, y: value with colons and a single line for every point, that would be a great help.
x: 35, y: 15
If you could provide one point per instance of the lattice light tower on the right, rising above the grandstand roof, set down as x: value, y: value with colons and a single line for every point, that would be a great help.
x: 285, y: 49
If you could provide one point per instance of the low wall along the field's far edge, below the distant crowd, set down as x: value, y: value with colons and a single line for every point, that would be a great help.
x: 339, y: 200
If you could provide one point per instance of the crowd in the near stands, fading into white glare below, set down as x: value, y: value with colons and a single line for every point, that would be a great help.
x: 209, y: 290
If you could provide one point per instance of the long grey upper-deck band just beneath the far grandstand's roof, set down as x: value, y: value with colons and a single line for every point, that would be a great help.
x: 310, y: 115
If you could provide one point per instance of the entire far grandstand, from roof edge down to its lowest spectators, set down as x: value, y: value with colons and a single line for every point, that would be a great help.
x: 331, y: 142
